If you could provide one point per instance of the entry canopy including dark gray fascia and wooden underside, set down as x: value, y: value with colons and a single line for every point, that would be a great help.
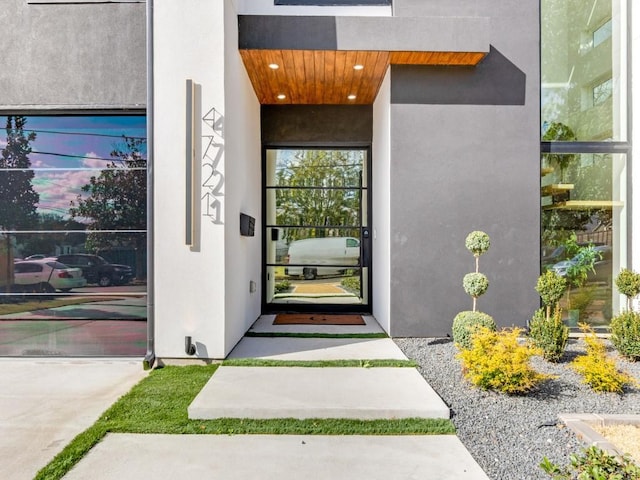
x: 343, y: 60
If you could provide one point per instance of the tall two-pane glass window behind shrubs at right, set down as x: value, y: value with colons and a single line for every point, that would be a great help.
x: 585, y: 150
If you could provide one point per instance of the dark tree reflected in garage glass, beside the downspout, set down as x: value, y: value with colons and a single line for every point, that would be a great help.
x: 117, y: 200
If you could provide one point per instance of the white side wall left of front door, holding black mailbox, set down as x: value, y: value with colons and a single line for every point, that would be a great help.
x: 243, y: 255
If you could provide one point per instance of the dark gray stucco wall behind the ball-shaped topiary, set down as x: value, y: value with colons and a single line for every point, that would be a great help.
x: 466, y: 162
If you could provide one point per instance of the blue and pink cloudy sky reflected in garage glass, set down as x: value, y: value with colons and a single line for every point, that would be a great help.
x: 69, y: 150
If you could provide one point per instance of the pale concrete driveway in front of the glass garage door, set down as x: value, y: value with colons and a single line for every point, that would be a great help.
x: 46, y: 402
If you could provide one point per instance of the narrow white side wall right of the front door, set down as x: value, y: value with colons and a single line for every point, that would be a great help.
x: 381, y: 155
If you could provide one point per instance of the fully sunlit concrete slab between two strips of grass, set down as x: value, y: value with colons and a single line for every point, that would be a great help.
x: 303, y: 392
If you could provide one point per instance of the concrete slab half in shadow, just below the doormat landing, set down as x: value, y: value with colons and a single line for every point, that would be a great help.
x: 288, y: 348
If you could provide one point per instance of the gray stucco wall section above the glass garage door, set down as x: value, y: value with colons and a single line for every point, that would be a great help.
x: 83, y: 55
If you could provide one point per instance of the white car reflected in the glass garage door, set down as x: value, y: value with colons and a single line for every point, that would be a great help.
x: 47, y: 276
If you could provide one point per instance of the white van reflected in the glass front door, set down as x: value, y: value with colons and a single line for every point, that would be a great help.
x: 335, y: 252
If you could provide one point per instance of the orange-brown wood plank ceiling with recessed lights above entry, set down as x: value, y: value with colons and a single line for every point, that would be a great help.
x: 316, y: 77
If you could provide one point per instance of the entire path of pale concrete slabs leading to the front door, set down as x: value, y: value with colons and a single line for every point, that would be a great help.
x: 268, y: 392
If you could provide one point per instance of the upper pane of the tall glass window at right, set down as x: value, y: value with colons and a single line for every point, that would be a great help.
x: 584, y: 71
